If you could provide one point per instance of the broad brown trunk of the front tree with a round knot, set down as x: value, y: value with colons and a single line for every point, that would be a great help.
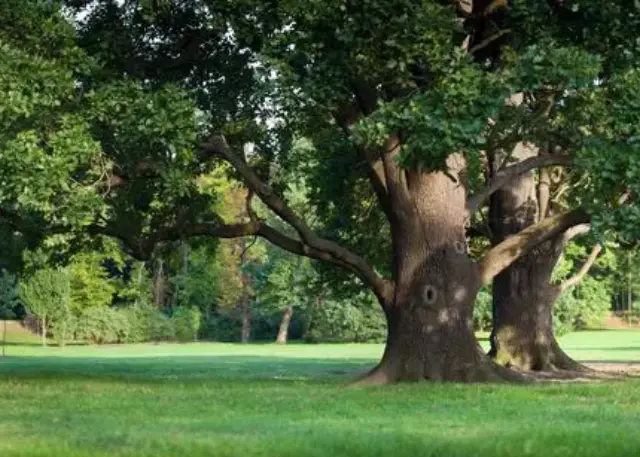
x: 430, y: 325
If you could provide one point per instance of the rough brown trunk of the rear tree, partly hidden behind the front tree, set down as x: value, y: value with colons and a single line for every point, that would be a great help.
x: 523, y: 296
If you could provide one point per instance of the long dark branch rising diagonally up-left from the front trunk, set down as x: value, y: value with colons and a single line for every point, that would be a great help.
x: 309, y: 239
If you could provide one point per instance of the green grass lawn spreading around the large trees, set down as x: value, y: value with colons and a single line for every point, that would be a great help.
x: 263, y: 400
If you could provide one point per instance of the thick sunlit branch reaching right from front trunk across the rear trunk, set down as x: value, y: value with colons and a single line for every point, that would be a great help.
x: 505, y: 253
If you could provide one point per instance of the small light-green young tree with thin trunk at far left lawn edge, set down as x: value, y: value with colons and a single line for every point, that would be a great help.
x: 46, y: 294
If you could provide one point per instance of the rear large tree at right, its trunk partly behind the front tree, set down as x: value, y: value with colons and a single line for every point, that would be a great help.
x: 524, y: 295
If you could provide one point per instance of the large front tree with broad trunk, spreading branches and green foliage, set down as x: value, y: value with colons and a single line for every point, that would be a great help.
x: 398, y: 101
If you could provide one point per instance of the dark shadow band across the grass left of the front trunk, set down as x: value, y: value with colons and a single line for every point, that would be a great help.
x: 184, y: 368
